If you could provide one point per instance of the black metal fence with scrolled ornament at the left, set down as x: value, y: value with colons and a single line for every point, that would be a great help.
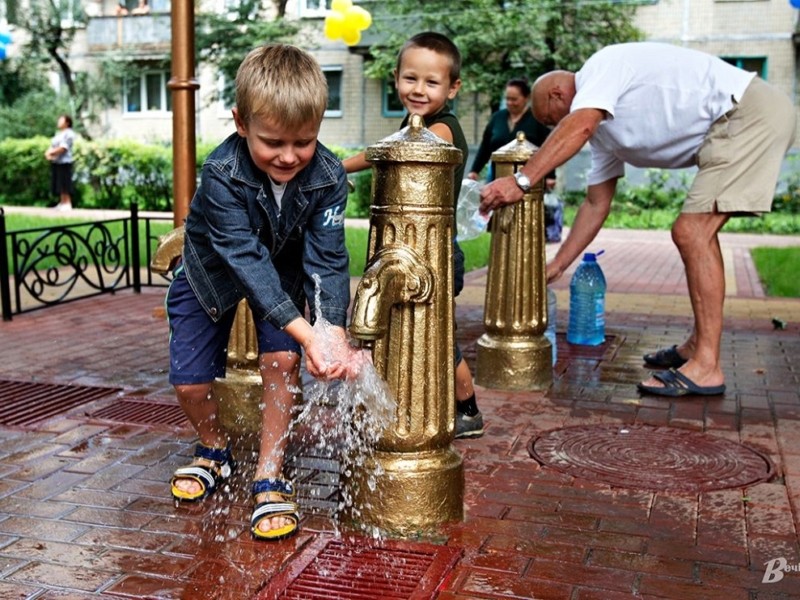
x: 50, y: 265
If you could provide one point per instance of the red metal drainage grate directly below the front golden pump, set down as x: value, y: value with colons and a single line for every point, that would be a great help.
x: 360, y: 568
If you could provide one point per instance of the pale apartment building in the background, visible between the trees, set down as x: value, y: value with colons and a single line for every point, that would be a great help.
x: 758, y: 35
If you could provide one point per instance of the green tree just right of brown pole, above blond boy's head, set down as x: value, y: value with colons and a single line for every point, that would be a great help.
x: 223, y: 40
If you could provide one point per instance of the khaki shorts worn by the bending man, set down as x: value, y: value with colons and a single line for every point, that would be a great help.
x: 740, y: 159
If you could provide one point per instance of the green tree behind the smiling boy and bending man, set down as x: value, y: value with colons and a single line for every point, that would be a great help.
x: 500, y: 39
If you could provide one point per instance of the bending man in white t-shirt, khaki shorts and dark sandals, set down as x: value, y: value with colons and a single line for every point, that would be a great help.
x: 656, y: 105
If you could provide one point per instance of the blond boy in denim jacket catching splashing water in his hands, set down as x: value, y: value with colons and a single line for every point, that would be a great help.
x: 267, y: 216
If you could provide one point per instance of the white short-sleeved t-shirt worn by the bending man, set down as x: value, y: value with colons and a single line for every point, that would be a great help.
x: 660, y: 102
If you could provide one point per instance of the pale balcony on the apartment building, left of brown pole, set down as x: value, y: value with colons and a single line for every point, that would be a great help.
x: 143, y: 35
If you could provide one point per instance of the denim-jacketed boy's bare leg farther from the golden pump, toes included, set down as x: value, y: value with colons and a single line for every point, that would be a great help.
x: 201, y: 410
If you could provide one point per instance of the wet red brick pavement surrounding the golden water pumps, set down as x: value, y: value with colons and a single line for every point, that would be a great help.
x: 635, y: 496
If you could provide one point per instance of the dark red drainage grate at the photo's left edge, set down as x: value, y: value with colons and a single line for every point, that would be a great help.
x: 25, y: 403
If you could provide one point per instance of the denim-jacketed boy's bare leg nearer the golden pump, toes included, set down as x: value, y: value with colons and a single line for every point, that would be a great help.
x: 280, y: 374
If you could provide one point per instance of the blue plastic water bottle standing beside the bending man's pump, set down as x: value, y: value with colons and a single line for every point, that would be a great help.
x: 587, y: 299
